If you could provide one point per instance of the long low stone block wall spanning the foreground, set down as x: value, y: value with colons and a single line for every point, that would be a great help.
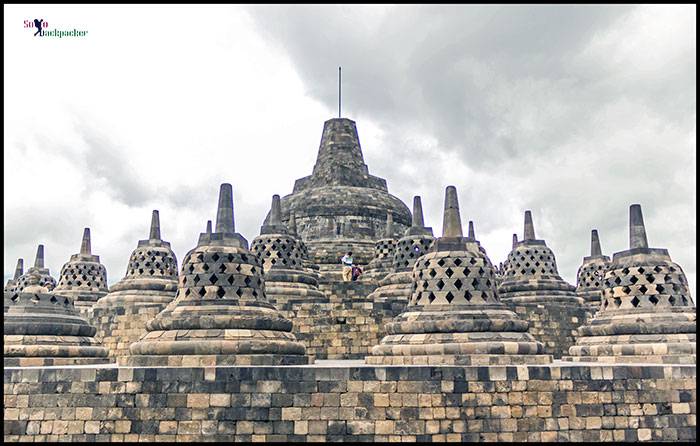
x: 352, y: 403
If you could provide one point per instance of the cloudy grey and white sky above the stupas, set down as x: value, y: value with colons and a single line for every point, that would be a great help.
x: 575, y: 112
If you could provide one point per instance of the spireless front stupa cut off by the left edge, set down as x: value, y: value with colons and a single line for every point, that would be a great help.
x: 44, y: 329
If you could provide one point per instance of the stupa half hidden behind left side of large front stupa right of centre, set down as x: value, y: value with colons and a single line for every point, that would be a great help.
x: 416, y: 241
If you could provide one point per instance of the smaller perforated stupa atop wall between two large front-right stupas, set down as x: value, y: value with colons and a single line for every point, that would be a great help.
x: 531, y: 274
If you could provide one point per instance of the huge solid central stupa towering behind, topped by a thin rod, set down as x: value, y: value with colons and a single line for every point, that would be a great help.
x: 340, y: 207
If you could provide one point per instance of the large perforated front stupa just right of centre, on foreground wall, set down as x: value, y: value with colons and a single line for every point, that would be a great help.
x: 454, y: 315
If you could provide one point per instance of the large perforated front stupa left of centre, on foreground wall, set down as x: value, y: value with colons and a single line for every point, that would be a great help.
x: 220, y: 315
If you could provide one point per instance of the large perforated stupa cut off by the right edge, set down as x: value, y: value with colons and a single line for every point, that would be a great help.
x: 647, y: 314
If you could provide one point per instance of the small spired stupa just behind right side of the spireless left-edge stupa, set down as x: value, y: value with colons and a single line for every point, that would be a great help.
x: 83, y: 278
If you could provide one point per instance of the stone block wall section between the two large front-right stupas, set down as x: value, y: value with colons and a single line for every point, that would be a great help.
x: 553, y: 324
